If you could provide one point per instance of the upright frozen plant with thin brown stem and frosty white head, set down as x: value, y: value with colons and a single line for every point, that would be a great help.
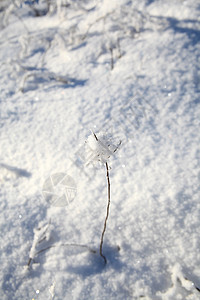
x: 99, y: 149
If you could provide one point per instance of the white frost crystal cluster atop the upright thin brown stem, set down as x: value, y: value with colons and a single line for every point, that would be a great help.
x: 99, y: 148
